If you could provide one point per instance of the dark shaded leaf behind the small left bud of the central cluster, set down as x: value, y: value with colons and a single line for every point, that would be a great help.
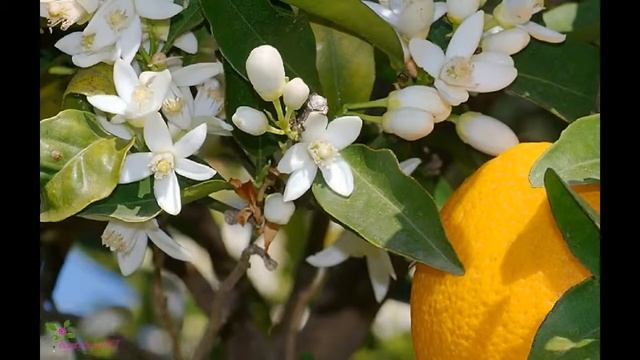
x: 239, y: 92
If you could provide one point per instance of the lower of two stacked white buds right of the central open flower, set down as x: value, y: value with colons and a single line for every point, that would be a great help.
x: 408, y: 123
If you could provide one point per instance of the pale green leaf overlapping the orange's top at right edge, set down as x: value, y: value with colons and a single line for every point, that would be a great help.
x: 575, y: 156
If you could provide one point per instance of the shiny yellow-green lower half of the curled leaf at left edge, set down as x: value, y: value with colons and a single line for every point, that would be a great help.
x: 89, y: 176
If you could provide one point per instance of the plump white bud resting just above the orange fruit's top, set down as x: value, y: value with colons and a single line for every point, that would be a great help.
x: 485, y: 133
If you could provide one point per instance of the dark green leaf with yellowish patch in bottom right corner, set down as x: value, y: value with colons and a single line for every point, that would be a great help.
x: 576, y: 318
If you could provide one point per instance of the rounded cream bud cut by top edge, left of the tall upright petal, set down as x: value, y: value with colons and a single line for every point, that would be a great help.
x: 415, y: 18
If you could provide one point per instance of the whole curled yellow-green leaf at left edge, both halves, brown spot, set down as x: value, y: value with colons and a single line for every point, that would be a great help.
x: 84, y: 163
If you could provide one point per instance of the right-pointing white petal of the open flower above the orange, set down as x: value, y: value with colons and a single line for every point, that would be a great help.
x: 489, y: 76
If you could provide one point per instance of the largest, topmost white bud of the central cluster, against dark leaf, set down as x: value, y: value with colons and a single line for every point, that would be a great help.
x: 266, y: 72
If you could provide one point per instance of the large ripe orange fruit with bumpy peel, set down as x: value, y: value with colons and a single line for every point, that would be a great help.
x: 517, y: 265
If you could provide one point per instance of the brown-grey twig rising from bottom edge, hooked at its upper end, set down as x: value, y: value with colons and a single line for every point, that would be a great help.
x: 215, y: 318
